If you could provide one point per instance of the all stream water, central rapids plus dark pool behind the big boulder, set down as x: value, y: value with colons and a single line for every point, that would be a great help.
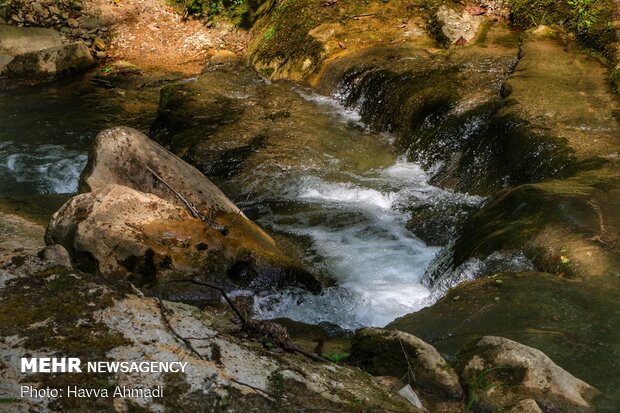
x: 336, y: 192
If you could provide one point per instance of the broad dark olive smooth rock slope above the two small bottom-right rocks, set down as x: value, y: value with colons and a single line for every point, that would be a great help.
x: 562, y: 318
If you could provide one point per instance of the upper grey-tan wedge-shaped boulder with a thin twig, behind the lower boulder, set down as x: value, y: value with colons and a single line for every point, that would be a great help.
x: 125, y: 156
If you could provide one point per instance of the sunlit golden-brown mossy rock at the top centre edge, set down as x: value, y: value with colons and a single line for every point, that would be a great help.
x: 296, y: 37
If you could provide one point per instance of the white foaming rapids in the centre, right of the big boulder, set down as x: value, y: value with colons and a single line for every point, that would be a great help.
x: 358, y: 235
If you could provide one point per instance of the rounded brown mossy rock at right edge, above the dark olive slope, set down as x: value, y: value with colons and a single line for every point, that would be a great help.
x: 567, y: 227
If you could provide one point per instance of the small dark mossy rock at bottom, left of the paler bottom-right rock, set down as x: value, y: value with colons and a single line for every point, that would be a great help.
x: 395, y: 353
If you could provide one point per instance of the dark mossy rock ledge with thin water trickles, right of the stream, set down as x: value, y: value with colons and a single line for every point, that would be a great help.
x: 417, y: 105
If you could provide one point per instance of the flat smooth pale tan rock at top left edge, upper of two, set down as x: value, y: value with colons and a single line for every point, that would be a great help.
x: 18, y: 40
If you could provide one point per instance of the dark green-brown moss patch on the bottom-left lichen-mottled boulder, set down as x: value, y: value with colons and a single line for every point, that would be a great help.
x: 52, y: 311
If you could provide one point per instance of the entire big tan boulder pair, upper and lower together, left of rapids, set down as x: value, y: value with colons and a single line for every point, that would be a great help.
x: 151, y: 215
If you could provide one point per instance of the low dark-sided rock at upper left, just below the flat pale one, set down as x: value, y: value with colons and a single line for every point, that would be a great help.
x: 49, y: 63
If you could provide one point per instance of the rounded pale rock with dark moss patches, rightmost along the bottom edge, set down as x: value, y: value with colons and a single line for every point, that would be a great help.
x: 514, y: 372
